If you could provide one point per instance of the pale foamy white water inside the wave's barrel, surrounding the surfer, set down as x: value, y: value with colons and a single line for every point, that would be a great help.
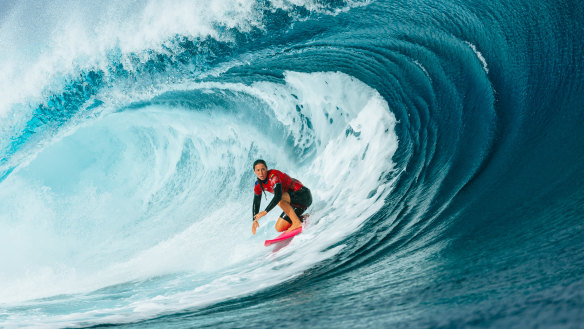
x: 138, y: 193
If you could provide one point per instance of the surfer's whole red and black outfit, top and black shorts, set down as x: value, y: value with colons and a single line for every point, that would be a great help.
x: 277, y: 183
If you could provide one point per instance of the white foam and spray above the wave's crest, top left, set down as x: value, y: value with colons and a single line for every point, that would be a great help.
x: 44, y: 46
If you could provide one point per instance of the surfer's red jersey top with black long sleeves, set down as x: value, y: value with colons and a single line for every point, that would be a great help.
x: 277, y: 182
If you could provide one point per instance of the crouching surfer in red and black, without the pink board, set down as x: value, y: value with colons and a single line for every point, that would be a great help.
x: 293, y: 197
